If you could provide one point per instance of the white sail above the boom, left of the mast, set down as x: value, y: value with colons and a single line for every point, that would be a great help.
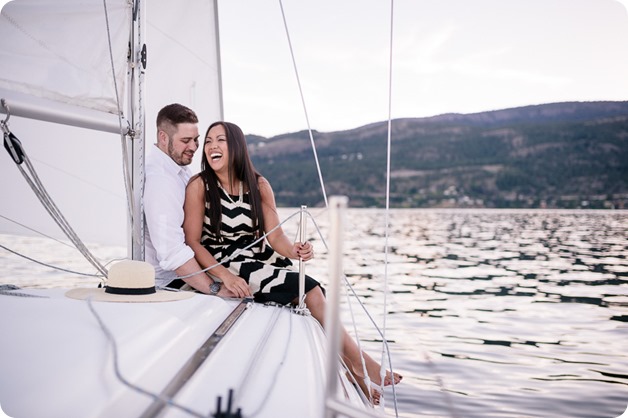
x: 53, y: 56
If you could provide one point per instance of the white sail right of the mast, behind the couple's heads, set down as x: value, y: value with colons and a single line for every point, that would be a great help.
x: 183, y: 63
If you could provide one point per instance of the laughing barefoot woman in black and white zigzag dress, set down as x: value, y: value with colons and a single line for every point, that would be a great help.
x: 229, y: 205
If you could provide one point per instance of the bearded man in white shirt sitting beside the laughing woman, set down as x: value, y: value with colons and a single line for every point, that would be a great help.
x: 167, y: 175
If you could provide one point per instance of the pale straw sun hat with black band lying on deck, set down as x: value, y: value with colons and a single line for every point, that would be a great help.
x: 129, y: 281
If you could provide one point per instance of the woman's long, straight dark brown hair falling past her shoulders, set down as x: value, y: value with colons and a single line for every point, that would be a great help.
x: 240, y: 166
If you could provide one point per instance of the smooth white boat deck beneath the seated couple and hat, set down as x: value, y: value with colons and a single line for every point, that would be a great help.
x: 56, y: 360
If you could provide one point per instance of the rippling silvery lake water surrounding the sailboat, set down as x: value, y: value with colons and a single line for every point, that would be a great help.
x: 490, y: 313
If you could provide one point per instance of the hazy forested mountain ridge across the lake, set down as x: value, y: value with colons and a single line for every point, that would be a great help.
x: 559, y: 155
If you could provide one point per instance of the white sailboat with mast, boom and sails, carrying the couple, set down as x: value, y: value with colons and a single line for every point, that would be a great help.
x: 107, y: 66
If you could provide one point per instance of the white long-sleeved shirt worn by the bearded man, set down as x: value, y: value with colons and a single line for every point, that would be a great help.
x: 164, y: 194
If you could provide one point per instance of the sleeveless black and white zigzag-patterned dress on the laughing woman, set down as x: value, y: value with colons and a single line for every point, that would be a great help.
x: 267, y: 272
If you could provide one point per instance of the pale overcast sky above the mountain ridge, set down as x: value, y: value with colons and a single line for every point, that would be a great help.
x: 447, y: 56
